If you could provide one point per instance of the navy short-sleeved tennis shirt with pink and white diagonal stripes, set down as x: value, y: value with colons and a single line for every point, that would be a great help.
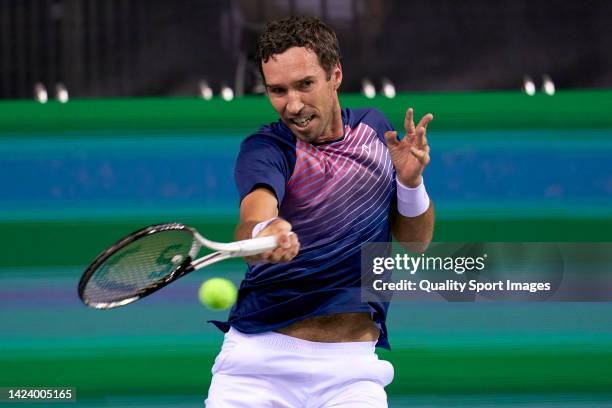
x: 336, y: 195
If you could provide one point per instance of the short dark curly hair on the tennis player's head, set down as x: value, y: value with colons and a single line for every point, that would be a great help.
x: 309, y: 32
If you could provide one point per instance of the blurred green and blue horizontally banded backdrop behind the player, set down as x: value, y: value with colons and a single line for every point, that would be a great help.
x: 505, y: 167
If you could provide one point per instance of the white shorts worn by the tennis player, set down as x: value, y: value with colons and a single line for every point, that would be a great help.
x: 275, y: 370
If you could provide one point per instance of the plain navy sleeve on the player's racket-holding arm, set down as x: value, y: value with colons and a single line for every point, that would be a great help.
x: 261, y: 162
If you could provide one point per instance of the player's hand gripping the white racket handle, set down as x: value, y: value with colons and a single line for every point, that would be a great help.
x: 288, y: 243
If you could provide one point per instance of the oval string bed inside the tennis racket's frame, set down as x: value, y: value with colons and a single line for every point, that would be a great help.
x: 138, y: 266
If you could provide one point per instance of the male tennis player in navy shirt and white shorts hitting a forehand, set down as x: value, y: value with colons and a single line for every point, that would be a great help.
x: 323, y: 180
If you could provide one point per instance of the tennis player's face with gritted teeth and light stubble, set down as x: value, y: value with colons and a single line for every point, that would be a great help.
x: 306, y: 101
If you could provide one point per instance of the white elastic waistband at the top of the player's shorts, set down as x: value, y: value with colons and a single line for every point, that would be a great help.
x: 279, y: 341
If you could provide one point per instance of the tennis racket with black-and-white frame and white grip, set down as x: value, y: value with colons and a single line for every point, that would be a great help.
x: 151, y: 258
